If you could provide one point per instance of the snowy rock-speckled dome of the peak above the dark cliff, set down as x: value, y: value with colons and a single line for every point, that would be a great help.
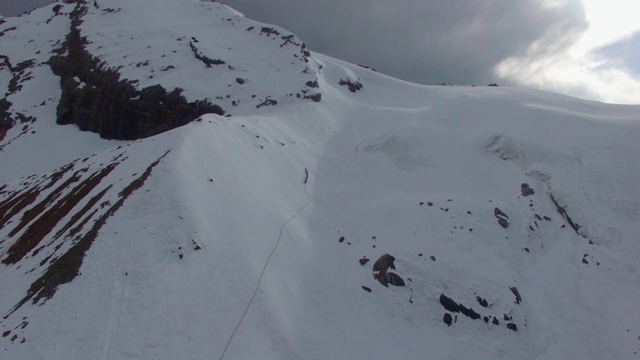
x: 205, y: 48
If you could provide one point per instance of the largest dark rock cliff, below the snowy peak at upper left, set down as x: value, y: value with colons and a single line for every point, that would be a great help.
x: 112, y: 107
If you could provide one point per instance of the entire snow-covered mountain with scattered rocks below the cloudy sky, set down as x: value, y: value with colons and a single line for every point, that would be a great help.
x: 231, y: 187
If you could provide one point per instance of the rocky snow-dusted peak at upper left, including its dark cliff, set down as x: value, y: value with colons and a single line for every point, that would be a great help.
x: 158, y: 70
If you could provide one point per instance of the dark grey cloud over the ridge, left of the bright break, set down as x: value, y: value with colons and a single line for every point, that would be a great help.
x: 427, y: 41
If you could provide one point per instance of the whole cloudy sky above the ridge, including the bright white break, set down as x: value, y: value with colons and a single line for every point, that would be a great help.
x: 584, y: 48
